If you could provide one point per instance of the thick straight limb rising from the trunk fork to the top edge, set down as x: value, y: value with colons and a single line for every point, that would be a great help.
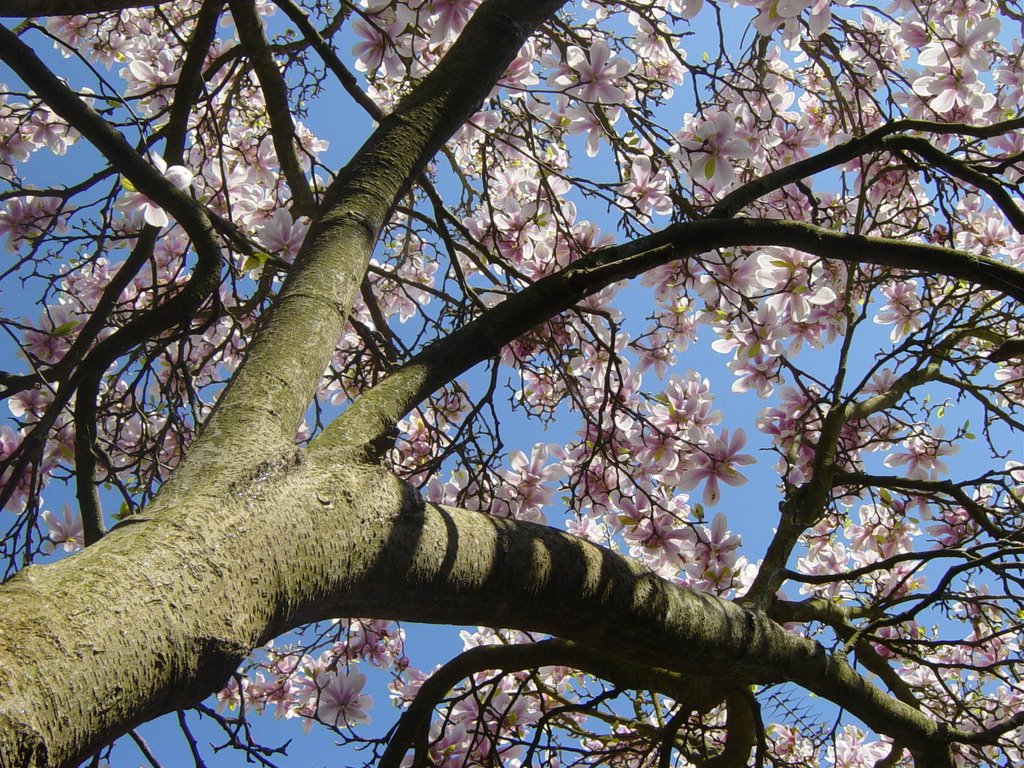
x: 272, y: 392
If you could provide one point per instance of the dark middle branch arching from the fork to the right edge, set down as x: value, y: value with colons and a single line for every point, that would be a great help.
x: 381, y: 408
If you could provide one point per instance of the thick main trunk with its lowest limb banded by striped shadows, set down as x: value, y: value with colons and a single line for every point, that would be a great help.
x: 385, y: 559
